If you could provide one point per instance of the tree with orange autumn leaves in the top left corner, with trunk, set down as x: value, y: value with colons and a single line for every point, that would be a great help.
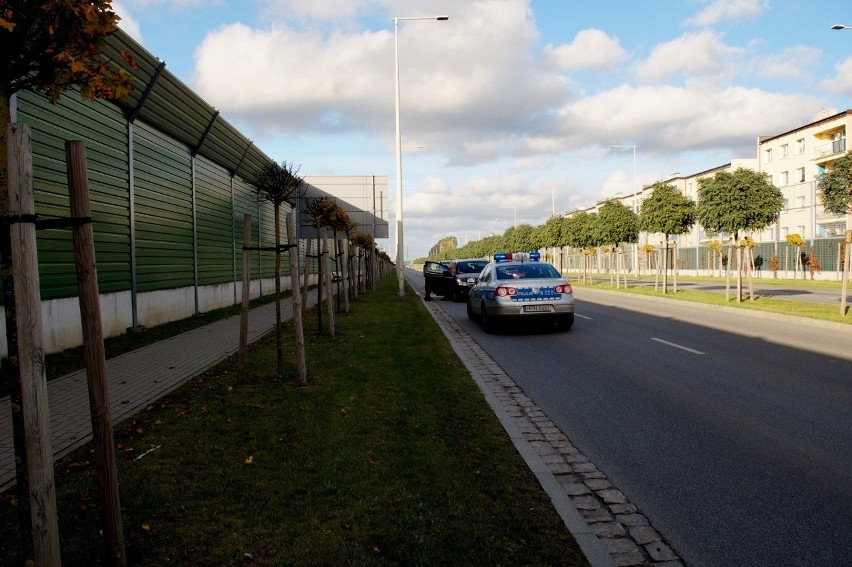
x: 49, y: 46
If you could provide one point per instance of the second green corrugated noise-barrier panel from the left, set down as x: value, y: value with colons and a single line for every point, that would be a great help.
x: 163, y: 197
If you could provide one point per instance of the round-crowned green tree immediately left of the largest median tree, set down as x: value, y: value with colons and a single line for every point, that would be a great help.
x: 666, y: 211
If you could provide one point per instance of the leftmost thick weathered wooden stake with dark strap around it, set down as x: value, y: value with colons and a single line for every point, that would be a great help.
x: 30, y: 347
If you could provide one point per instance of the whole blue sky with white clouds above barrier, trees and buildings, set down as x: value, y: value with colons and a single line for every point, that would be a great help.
x: 510, y: 109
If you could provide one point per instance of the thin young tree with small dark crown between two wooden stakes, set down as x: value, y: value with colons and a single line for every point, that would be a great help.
x: 280, y: 184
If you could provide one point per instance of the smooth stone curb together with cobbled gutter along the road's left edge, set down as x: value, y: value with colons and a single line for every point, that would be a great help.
x: 609, y: 529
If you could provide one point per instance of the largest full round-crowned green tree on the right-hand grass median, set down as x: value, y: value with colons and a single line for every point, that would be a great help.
x: 733, y: 202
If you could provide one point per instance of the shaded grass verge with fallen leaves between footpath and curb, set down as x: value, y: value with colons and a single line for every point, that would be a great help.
x: 389, y: 457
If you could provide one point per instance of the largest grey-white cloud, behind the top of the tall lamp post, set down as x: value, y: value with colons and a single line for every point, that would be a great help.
x: 468, y: 86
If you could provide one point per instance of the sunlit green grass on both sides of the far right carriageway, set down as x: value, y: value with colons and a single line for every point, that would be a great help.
x: 819, y: 311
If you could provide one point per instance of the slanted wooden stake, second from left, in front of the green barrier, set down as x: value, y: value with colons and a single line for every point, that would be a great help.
x: 93, y: 352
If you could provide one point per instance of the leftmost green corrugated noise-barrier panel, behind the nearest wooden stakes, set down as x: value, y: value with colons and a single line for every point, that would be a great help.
x: 101, y: 126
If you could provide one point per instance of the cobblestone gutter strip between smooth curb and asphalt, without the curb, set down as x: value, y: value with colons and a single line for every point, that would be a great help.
x: 626, y: 534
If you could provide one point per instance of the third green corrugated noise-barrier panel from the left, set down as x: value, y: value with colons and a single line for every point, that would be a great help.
x: 213, y: 223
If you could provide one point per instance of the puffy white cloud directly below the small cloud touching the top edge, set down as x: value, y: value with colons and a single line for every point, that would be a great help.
x: 692, y: 54
